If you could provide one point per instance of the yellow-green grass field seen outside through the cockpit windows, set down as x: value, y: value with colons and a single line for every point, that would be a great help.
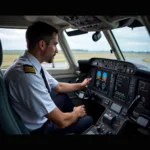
x: 9, y: 57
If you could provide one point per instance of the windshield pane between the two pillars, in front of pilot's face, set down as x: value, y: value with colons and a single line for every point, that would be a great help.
x: 83, y: 47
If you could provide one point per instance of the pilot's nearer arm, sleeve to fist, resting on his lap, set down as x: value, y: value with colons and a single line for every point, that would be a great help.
x: 36, y: 99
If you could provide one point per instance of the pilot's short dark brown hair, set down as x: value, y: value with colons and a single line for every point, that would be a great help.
x: 39, y: 31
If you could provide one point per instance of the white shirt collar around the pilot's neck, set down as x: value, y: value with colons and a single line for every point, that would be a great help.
x: 33, y: 60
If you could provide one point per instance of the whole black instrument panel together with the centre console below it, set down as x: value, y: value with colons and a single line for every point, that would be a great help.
x: 123, y: 88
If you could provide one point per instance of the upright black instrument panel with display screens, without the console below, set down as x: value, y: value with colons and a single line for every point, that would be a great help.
x: 119, y: 81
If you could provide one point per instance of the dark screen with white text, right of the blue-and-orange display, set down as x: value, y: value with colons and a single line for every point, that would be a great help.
x: 121, y: 87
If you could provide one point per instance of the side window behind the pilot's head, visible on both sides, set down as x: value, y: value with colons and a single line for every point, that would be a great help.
x: 14, y: 45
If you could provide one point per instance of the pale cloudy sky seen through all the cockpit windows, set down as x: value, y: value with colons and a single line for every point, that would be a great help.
x: 128, y: 40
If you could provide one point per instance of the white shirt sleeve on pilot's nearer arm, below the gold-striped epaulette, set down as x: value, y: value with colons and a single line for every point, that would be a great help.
x: 33, y: 93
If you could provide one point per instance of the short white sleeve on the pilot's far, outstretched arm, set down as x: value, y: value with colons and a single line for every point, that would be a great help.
x: 51, y: 81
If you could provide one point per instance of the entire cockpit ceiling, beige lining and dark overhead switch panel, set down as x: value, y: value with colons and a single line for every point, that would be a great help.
x: 85, y: 23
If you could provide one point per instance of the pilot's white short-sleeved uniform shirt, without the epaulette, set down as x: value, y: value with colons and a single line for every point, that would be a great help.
x: 28, y: 93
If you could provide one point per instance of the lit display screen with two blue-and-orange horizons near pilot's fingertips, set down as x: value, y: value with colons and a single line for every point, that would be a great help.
x: 102, y: 81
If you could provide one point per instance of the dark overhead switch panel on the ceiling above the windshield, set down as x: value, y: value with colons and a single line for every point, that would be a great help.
x: 98, y: 23
